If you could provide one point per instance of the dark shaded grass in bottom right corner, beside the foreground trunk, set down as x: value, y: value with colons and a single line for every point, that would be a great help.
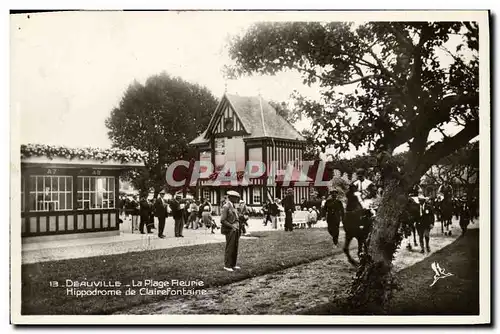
x: 453, y: 295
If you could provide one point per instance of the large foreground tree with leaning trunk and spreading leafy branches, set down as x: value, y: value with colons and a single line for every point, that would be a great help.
x: 382, y: 85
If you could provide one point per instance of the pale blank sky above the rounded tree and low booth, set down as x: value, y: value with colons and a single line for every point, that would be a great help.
x: 69, y: 70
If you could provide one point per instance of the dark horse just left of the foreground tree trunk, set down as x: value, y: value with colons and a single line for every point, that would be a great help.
x: 357, y: 224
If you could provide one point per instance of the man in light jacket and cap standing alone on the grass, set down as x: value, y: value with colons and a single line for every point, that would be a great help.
x: 231, y: 229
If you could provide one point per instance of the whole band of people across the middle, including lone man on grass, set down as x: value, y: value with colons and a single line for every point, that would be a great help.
x: 421, y: 213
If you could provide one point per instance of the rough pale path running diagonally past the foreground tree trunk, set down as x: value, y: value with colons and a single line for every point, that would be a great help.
x: 289, y: 291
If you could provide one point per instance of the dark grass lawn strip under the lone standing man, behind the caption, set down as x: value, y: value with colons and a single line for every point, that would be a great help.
x: 272, y: 251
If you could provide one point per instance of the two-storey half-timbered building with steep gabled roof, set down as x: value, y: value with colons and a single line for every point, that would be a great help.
x: 249, y: 129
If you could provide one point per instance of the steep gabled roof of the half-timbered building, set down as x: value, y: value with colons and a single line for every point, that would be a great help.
x: 259, y: 119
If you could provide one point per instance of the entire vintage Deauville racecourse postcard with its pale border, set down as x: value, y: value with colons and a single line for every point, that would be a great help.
x: 247, y: 167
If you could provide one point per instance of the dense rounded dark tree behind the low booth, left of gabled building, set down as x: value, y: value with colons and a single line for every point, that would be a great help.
x: 160, y: 117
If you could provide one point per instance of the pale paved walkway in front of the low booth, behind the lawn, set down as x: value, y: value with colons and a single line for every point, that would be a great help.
x: 125, y: 242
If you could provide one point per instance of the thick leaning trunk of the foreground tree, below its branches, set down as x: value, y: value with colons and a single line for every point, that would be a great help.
x: 373, y: 284
